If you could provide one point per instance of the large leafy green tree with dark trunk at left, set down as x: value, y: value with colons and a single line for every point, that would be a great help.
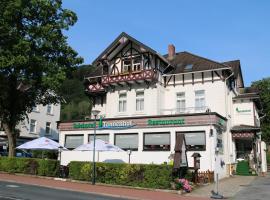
x: 34, y: 58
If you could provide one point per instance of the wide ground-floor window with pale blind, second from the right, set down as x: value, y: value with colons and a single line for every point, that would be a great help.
x: 157, y: 141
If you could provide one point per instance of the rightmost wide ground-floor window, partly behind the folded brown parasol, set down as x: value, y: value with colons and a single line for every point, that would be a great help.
x: 195, y: 141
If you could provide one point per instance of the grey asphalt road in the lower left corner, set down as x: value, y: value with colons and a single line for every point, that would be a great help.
x: 16, y: 191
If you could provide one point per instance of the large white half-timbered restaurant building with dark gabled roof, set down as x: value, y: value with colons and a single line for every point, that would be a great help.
x: 148, y: 100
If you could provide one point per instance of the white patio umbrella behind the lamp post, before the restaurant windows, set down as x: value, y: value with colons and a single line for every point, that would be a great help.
x: 100, y: 146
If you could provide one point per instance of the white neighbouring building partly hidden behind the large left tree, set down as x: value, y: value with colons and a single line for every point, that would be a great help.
x: 42, y: 121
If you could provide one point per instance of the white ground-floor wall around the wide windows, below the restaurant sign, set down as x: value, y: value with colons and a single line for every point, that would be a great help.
x: 140, y: 156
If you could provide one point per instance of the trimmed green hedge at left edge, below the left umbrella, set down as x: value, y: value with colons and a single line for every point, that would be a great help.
x: 40, y: 167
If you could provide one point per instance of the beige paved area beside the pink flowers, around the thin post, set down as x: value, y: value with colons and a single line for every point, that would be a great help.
x: 228, y: 187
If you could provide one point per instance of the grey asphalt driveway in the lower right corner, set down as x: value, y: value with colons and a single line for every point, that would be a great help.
x: 259, y: 189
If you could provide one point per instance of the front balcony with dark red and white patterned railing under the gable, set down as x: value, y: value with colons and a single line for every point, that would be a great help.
x: 131, y: 77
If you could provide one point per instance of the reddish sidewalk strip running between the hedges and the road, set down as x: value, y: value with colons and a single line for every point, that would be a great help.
x: 96, y: 189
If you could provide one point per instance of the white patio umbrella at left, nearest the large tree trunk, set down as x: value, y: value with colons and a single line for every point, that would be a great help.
x: 41, y: 143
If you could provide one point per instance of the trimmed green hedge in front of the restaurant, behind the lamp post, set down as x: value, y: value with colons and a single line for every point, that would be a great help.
x: 137, y: 175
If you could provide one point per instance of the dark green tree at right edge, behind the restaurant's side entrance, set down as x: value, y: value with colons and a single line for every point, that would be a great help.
x: 264, y: 90
